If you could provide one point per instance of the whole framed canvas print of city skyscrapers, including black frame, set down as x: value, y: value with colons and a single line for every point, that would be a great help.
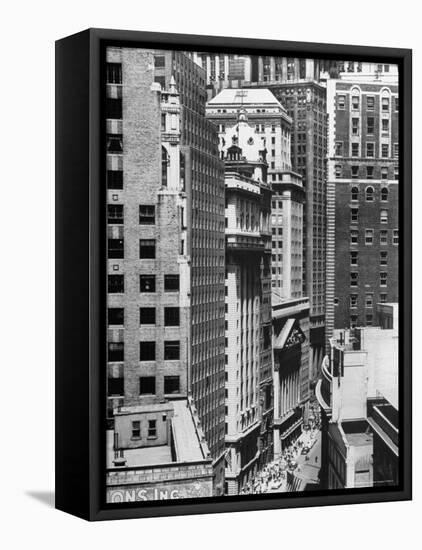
x: 233, y: 274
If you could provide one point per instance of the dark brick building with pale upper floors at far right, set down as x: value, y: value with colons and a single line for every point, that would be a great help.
x: 362, y: 201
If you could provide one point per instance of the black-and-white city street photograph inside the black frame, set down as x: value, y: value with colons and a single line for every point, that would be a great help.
x: 252, y: 222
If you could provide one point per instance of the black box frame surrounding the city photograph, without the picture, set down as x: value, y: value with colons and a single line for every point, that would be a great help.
x: 80, y: 277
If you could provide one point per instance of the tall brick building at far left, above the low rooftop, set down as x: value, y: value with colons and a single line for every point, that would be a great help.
x: 165, y: 209
